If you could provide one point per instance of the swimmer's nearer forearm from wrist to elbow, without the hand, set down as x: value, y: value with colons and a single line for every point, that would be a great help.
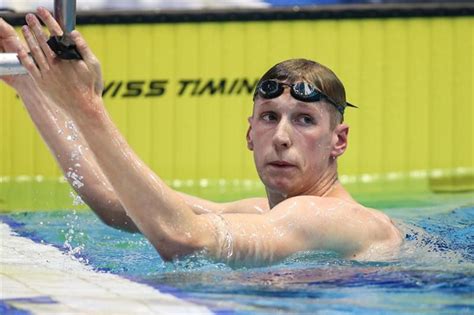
x: 159, y: 212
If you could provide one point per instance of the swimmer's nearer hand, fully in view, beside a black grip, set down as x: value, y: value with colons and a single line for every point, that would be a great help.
x: 70, y: 84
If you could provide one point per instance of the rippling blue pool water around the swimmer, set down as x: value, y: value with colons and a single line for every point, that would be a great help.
x: 433, y: 275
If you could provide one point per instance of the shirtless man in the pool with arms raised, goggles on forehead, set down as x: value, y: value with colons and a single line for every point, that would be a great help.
x: 296, y: 133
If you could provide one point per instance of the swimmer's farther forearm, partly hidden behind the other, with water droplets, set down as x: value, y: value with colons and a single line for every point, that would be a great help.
x: 76, y: 161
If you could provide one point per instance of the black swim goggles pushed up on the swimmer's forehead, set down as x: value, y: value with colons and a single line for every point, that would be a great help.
x: 302, y: 91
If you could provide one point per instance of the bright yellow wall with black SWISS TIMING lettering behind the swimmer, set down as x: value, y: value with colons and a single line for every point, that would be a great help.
x: 412, y: 79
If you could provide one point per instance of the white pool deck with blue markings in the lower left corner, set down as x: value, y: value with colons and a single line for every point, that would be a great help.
x: 40, y: 279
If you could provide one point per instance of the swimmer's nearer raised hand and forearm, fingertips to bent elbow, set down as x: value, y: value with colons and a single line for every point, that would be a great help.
x: 76, y: 86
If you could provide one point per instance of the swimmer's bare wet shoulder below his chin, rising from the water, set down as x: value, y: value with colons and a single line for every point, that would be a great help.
x: 344, y: 226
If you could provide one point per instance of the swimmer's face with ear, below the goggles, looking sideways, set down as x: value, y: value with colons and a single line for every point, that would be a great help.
x: 292, y: 142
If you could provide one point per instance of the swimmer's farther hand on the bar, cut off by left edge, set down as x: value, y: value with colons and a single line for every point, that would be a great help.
x: 10, y: 42
